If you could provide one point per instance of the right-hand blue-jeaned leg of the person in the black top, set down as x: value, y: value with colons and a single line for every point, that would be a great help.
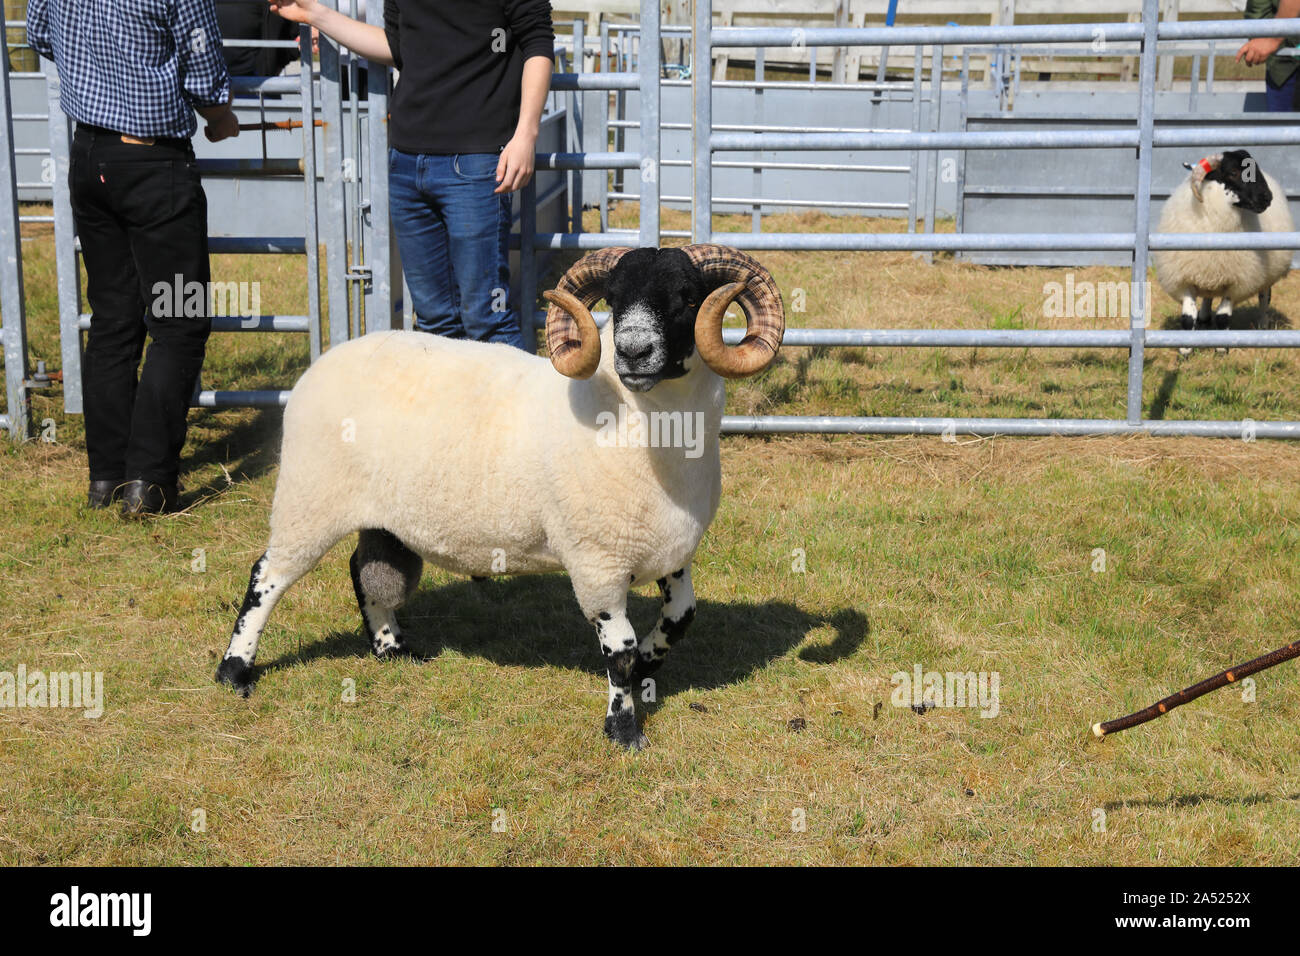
x: 479, y: 243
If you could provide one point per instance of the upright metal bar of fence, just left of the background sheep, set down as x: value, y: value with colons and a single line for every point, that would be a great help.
x: 1147, y: 131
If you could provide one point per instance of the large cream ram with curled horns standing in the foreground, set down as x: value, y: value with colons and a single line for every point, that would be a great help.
x: 482, y: 460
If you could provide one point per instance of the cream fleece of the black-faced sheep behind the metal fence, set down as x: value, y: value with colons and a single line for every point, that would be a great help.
x: 1234, y: 275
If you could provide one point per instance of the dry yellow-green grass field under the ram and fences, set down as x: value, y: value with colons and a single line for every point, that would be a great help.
x: 775, y: 738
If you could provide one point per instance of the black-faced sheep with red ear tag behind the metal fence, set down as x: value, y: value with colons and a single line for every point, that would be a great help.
x: 1224, y: 194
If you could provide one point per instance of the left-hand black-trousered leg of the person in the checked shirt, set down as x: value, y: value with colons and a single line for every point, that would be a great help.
x: 118, y: 328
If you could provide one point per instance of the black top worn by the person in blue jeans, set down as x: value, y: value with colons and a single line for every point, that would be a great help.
x: 462, y: 63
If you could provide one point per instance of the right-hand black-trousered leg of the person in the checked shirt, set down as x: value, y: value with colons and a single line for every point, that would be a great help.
x: 157, y: 193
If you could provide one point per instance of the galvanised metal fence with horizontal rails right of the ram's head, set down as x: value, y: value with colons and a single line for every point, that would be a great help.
x: 1143, y: 139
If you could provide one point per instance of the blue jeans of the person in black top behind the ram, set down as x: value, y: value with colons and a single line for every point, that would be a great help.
x: 454, y: 237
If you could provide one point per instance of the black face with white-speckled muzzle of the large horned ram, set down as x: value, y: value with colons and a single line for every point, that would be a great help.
x: 655, y: 296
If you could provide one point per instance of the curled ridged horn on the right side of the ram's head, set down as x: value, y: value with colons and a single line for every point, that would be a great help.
x: 738, y: 278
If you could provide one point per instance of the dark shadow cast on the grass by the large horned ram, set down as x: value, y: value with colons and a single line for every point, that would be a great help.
x: 535, y: 621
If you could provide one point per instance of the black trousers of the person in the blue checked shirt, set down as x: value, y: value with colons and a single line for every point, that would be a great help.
x: 142, y: 218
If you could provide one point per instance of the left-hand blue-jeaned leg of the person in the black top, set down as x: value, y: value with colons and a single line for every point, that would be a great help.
x: 422, y: 237
